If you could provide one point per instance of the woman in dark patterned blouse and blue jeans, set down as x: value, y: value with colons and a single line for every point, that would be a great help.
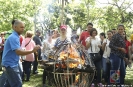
x: 117, y: 56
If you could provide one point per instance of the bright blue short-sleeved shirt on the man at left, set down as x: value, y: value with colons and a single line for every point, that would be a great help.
x: 10, y: 58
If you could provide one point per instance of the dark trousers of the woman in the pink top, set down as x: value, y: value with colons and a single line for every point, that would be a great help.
x: 26, y: 69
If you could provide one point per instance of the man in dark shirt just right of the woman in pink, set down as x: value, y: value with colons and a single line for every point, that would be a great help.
x: 37, y: 41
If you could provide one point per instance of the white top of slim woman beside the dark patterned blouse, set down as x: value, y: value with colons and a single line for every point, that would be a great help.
x: 107, y: 49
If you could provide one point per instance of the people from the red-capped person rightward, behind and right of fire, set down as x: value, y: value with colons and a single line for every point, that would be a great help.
x: 113, y: 48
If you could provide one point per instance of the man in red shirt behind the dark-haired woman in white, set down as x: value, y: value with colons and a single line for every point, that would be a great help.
x: 85, y: 34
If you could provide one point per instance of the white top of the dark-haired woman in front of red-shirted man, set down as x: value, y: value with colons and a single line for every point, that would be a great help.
x: 94, y: 45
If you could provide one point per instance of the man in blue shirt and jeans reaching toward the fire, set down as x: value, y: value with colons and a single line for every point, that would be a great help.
x: 11, y: 54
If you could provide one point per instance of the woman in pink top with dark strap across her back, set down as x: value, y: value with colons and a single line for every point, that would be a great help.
x: 28, y: 44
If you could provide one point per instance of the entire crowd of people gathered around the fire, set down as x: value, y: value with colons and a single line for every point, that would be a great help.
x: 112, y: 49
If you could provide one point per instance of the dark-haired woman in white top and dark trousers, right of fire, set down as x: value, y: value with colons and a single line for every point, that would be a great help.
x: 93, y: 45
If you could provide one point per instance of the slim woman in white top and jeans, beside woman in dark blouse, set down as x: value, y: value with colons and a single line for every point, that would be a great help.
x: 106, y: 55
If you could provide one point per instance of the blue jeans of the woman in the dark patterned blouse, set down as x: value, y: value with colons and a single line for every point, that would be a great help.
x: 118, y: 63
